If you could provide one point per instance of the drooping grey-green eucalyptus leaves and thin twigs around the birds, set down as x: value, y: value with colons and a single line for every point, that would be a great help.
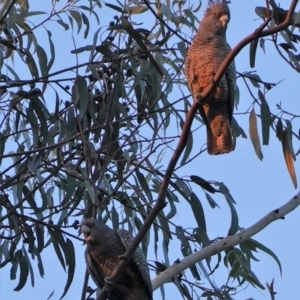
x: 91, y: 139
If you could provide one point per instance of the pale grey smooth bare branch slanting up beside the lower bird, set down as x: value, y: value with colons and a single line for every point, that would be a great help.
x: 226, y: 243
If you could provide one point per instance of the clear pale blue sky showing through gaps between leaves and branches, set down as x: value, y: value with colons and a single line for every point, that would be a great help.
x: 257, y: 186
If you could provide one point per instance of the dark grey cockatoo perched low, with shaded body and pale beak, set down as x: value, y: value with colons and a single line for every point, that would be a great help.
x: 104, y: 247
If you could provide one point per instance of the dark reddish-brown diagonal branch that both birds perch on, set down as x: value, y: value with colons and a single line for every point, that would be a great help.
x: 161, y: 200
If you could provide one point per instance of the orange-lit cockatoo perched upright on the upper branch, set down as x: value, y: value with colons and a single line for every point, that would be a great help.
x: 204, y: 57
